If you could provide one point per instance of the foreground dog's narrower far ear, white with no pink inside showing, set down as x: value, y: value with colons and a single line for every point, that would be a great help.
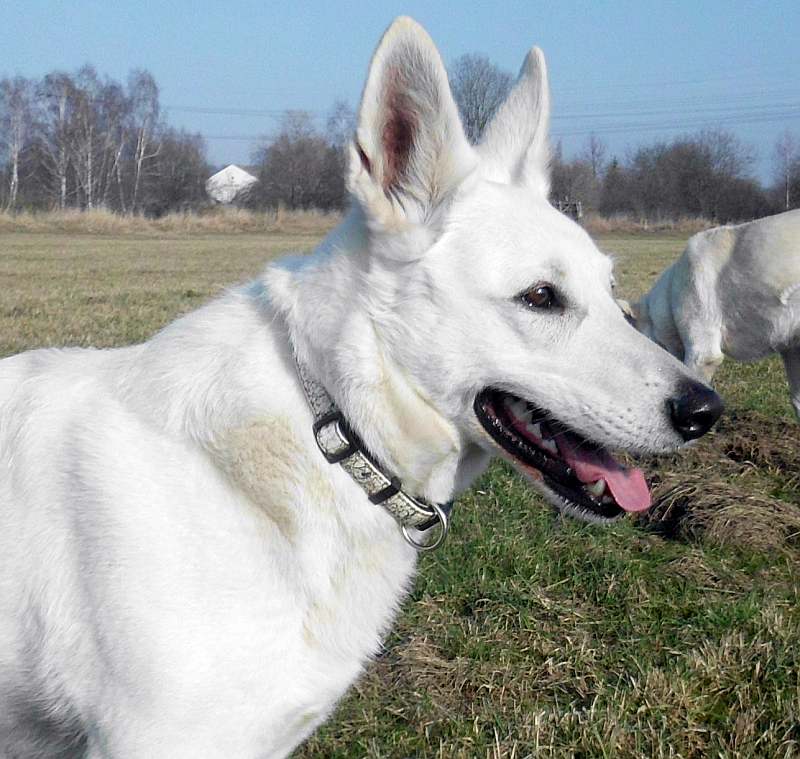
x: 515, y: 146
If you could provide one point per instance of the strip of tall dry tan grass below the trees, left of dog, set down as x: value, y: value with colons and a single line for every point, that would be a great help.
x: 216, y: 220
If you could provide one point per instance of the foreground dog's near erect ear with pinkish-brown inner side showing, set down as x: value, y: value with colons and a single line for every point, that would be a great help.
x: 410, y: 149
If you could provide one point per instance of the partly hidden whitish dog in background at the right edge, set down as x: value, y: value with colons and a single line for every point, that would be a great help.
x: 734, y: 291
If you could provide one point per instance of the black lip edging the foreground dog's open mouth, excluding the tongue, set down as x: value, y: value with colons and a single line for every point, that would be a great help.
x: 558, y: 476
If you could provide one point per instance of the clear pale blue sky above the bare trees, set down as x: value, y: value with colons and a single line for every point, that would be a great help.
x: 629, y: 71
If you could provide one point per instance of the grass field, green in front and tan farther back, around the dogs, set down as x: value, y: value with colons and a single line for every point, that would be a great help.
x: 528, y: 635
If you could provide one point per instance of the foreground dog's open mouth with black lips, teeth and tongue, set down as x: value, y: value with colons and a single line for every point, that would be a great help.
x: 581, y: 477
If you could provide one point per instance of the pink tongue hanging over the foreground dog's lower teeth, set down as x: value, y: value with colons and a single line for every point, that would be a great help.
x: 628, y: 486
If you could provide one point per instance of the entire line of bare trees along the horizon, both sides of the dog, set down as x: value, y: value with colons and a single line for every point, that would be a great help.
x: 85, y: 141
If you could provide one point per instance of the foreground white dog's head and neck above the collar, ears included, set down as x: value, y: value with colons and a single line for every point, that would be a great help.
x: 464, y: 316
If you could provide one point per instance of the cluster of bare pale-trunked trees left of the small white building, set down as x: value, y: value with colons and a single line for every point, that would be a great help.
x: 85, y: 141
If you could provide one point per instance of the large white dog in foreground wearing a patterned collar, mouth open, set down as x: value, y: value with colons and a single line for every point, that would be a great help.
x: 182, y: 572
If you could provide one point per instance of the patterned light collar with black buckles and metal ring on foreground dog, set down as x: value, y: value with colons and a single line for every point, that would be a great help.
x: 341, y: 445
